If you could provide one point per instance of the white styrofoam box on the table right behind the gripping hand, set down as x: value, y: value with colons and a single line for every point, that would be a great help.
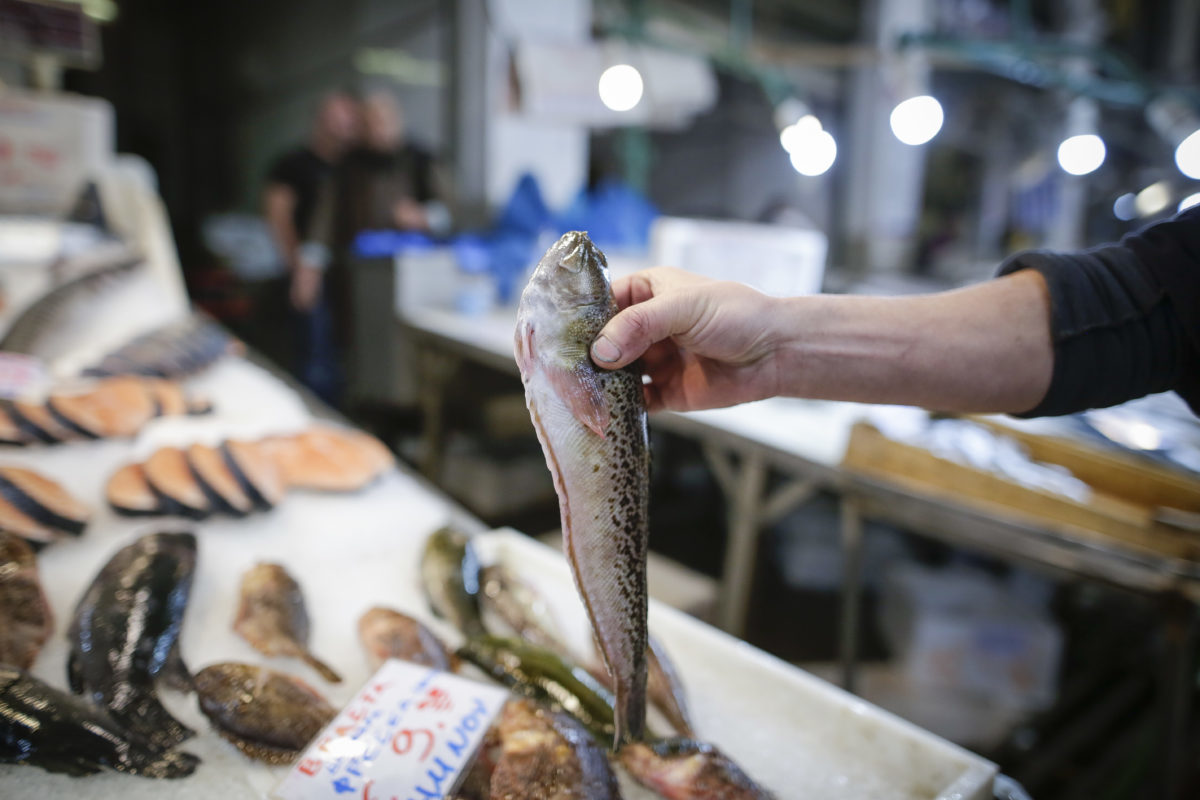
x: 782, y: 262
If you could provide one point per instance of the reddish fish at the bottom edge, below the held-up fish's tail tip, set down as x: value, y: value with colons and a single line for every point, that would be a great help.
x: 683, y: 769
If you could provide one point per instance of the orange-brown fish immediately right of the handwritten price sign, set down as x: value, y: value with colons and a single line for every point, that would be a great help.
x: 547, y: 756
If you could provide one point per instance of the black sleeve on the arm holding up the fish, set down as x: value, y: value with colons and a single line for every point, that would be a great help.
x: 1125, y: 318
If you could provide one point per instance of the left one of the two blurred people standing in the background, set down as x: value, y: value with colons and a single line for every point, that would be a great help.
x: 298, y: 202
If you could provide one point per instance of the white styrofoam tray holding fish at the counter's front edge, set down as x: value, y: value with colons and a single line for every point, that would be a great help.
x: 801, y: 737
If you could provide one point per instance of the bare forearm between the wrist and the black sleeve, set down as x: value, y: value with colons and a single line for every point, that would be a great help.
x: 986, y: 348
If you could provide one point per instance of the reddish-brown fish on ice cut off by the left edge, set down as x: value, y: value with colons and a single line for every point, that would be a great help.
x: 26, y: 617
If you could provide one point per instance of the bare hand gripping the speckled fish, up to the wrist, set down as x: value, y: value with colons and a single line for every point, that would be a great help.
x: 704, y: 344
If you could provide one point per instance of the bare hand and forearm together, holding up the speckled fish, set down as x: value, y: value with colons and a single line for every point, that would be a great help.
x: 707, y: 345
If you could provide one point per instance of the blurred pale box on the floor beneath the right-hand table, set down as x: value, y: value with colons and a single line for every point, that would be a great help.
x: 964, y: 630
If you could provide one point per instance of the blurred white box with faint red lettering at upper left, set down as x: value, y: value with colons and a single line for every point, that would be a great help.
x: 49, y: 146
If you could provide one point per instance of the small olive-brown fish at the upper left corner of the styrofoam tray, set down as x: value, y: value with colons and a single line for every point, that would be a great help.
x: 451, y: 575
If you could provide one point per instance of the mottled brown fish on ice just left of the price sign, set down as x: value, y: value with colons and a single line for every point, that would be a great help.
x: 268, y: 715
